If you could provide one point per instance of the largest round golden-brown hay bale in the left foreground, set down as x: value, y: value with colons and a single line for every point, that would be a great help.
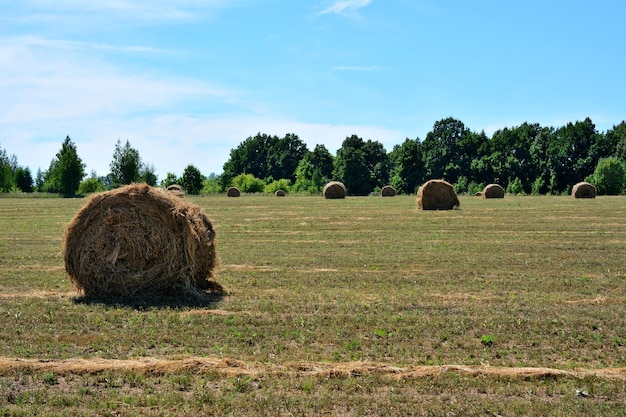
x: 138, y: 240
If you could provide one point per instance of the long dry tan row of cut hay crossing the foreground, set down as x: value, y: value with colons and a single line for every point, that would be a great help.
x: 229, y: 367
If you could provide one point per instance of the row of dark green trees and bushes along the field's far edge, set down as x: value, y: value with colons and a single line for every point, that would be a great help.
x: 526, y: 159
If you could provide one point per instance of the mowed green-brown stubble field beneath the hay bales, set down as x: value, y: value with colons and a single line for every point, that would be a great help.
x: 355, y: 307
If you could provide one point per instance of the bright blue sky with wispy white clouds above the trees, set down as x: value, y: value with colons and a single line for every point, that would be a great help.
x: 186, y: 81
